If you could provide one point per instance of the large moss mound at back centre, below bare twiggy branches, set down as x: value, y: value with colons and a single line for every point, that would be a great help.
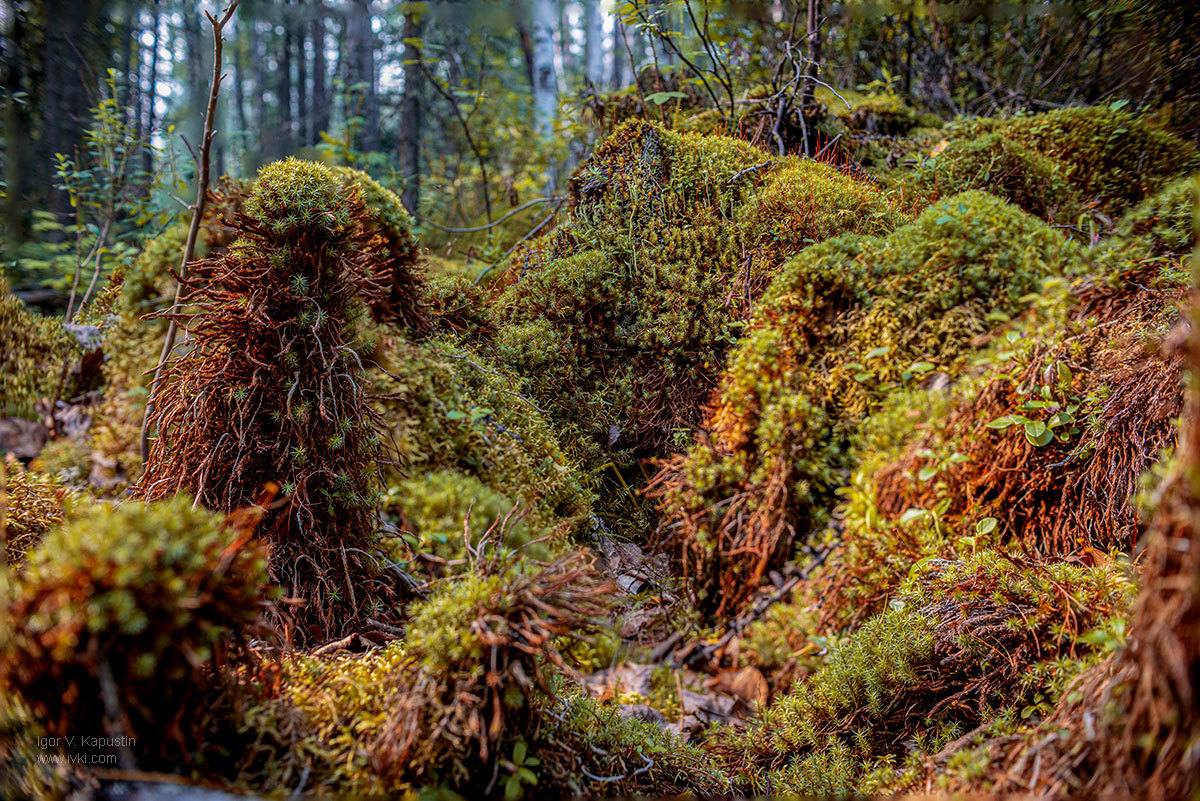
x: 622, y: 318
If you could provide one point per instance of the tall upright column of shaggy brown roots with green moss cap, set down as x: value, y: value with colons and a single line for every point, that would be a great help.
x: 271, y: 394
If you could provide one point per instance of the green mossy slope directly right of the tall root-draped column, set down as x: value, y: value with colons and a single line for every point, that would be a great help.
x: 464, y: 435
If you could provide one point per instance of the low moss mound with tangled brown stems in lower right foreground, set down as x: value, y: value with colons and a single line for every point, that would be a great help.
x: 967, y: 642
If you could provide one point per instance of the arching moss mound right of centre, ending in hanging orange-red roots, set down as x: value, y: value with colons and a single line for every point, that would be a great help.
x: 844, y: 324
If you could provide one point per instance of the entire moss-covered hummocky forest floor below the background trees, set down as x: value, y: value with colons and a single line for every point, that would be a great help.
x: 867, y: 474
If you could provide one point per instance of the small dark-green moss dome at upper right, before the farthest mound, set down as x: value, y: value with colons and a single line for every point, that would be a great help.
x: 1006, y: 168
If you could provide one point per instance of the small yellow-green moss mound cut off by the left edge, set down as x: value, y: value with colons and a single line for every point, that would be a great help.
x: 35, y: 357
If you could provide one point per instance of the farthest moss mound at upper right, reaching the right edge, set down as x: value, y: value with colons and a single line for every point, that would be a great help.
x: 1109, y: 155
